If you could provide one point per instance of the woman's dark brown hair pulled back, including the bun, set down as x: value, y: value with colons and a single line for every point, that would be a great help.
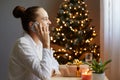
x: 26, y: 15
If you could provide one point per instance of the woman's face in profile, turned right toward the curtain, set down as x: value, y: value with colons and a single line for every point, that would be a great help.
x: 43, y: 17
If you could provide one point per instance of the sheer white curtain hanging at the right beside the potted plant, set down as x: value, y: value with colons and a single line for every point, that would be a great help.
x: 110, y: 36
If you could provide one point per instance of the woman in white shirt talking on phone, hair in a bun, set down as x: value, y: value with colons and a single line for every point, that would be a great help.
x: 31, y: 58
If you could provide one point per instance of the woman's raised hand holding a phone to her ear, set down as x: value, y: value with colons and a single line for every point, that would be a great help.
x: 42, y: 32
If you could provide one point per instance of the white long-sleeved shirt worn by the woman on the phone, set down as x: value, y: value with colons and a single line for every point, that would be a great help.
x: 30, y: 61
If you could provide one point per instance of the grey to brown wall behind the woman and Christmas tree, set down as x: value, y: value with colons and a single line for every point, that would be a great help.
x: 10, y: 27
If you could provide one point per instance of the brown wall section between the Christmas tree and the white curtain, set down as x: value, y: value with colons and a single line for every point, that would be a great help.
x: 94, y: 14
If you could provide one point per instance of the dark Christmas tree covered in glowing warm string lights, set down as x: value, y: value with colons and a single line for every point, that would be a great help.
x: 74, y: 33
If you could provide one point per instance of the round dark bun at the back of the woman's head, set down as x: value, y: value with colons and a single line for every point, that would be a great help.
x: 18, y: 11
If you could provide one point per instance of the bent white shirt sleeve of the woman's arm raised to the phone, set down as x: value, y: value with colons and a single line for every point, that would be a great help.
x: 40, y: 68
